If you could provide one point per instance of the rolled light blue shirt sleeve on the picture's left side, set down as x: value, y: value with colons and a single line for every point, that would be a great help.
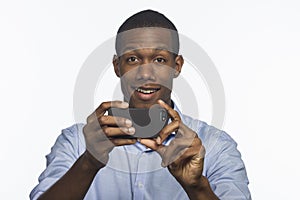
x: 63, y: 155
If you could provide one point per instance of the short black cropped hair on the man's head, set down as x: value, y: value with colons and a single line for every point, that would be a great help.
x: 150, y: 18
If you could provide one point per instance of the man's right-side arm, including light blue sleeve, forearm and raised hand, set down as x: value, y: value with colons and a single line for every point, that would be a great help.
x: 226, y: 176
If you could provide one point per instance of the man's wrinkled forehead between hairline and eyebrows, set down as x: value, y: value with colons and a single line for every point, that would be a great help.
x: 145, y: 38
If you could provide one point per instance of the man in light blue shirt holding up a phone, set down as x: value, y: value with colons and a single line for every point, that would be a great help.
x: 89, y: 162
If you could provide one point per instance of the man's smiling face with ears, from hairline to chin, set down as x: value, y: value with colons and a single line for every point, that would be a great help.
x: 147, y: 66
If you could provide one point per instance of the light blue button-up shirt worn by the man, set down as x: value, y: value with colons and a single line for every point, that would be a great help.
x: 135, y: 172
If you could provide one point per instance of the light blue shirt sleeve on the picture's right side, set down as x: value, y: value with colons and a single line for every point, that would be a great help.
x: 225, y: 169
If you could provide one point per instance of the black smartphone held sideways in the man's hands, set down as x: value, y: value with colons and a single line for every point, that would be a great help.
x: 147, y: 122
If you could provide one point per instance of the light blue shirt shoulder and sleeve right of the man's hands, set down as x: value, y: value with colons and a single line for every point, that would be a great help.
x: 223, y: 165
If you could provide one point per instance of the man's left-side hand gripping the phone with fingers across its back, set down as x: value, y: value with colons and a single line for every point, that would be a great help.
x: 100, y: 129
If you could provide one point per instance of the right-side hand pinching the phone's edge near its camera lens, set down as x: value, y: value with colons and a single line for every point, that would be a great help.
x: 184, y: 155
